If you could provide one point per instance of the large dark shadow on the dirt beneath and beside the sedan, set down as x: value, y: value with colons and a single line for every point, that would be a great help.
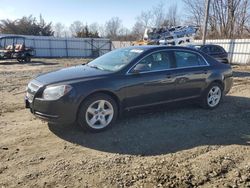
x: 167, y: 129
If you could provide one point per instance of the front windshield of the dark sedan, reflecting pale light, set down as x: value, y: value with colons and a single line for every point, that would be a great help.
x: 115, y: 60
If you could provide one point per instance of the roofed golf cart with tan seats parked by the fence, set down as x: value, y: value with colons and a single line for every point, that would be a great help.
x: 14, y: 47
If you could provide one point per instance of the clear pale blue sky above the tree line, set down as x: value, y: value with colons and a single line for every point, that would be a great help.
x: 87, y: 11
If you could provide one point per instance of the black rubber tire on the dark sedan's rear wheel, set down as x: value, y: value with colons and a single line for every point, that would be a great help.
x: 206, y: 95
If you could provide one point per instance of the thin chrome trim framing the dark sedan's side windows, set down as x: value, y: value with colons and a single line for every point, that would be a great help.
x: 130, y: 73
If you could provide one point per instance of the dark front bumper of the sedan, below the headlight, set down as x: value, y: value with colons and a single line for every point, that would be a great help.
x: 62, y: 111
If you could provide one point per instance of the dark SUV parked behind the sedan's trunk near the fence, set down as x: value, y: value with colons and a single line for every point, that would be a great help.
x: 216, y: 51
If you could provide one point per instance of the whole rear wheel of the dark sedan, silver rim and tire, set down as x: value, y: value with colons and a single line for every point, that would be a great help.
x: 212, y: 96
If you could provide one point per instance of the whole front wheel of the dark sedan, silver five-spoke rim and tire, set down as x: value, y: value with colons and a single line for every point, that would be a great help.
x: 97, y: 113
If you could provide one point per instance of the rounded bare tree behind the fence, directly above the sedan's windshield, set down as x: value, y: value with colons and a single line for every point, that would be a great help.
x: 112, y: 27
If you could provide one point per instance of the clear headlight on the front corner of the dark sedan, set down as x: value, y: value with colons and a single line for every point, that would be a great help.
x: 55, y: 92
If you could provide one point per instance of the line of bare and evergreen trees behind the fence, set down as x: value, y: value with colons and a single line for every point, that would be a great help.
x: 227, y: 19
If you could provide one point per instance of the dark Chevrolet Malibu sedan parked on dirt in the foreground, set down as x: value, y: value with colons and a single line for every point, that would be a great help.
x: 95, y: 94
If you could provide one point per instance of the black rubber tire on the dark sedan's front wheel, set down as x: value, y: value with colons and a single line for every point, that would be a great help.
x: 83, y: 114
